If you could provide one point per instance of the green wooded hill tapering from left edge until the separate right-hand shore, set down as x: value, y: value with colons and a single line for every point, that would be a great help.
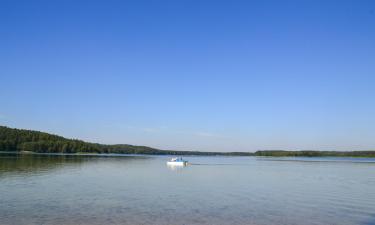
x: 18, y: 140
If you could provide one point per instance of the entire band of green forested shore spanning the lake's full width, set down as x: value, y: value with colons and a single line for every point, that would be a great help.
x: 29, y: 141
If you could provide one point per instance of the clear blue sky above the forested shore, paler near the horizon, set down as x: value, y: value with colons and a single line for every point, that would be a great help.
x: 192, y: 75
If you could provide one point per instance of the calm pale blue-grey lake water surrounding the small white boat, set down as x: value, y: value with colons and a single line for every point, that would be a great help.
x: 56, y: 190
